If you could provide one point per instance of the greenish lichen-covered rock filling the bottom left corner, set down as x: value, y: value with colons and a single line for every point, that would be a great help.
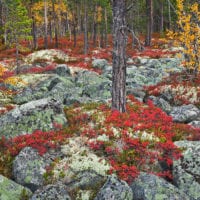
x: 10, y: 190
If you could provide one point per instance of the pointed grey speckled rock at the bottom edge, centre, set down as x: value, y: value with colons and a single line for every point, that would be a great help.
x: 115, y: 189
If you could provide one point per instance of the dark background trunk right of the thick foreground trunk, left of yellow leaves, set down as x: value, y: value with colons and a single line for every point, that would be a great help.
x: 149, y: 13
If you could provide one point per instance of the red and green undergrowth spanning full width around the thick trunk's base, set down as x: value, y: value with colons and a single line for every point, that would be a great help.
x: 135, y: 141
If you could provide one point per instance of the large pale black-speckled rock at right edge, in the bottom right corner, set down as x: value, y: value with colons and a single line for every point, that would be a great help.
x: 186, y: 171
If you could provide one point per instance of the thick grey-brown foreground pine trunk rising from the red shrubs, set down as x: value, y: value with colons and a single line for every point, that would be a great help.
x: 119, y: 56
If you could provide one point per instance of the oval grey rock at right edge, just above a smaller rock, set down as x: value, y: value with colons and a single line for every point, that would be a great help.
x: 185, y: 113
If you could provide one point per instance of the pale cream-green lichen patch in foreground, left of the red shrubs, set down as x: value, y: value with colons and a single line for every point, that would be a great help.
x: 79, y: 158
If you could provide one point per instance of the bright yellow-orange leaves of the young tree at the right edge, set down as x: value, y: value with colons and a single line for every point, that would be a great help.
x: 188, y: 35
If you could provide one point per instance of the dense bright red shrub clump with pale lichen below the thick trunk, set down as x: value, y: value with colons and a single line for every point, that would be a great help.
x: 133, y: 141
